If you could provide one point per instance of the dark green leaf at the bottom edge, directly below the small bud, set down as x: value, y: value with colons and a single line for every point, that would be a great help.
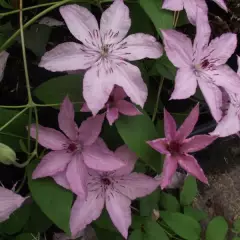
x: 153, y: 231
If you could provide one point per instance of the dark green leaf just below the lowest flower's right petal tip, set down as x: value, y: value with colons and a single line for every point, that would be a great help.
x: 148, y: 203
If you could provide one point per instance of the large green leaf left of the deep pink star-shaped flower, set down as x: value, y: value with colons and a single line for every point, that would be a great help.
x: 135, y: 131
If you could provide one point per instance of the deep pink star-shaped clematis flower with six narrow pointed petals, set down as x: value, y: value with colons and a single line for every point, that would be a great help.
x: 176, y: 147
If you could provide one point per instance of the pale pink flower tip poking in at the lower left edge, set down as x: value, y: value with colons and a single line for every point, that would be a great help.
x: 9, y: 202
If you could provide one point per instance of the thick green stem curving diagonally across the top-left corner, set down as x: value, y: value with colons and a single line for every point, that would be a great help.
x: 5, y: 45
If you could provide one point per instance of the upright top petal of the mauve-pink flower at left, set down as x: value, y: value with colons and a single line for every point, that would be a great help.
x: 66, y: 119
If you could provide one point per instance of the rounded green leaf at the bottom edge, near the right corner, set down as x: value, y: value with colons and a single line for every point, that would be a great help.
x: 217, y: 229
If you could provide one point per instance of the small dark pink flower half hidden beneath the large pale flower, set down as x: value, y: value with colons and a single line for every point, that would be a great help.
x: 115, y: 105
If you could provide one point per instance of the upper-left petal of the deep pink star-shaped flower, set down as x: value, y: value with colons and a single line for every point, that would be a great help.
x: 170, y: 127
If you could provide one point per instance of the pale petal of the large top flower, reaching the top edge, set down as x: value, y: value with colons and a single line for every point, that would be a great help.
x: 115, y: 22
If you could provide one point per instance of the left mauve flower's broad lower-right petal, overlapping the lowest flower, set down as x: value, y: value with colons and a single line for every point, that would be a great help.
x: 99, y: 157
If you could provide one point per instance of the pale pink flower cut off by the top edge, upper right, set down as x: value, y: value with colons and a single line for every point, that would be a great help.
x: 190, y: 6
